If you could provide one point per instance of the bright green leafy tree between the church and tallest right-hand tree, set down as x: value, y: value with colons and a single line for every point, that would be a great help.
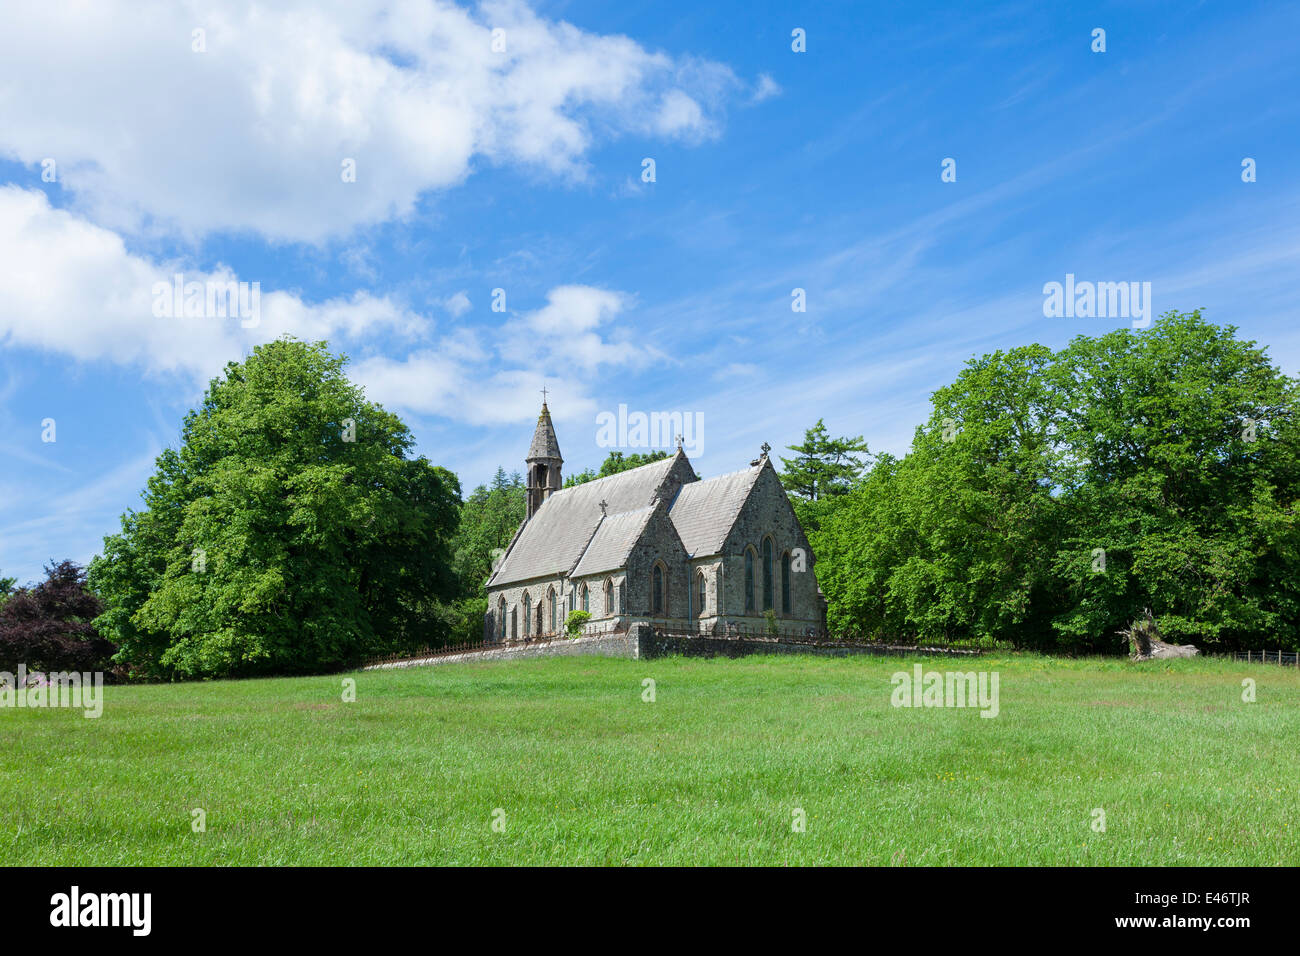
x: 951, y: 542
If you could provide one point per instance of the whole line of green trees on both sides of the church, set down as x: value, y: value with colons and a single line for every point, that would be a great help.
x: 1047, y: 501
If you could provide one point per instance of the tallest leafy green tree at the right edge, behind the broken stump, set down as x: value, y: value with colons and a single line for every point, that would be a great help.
x: 1182, y: 471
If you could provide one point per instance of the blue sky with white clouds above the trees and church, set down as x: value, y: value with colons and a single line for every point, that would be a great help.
x: 522, y: 170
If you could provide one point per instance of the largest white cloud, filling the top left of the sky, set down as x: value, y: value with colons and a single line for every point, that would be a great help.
x: 252, y: 135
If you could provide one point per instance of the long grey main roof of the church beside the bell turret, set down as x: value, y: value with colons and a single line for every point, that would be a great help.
x: 558, y: 534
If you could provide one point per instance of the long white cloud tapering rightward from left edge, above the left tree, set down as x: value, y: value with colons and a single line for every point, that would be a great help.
x: 72, y: 288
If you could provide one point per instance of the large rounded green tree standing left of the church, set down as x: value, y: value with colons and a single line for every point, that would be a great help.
x: 292, y: 531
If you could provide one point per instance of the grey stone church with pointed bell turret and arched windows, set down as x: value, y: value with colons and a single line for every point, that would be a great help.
x: 653, y: 546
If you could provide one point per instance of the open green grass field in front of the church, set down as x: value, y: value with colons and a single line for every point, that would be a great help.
x: 709, y: 773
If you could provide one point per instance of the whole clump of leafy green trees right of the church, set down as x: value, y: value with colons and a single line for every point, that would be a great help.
x: 1052, y: 496
